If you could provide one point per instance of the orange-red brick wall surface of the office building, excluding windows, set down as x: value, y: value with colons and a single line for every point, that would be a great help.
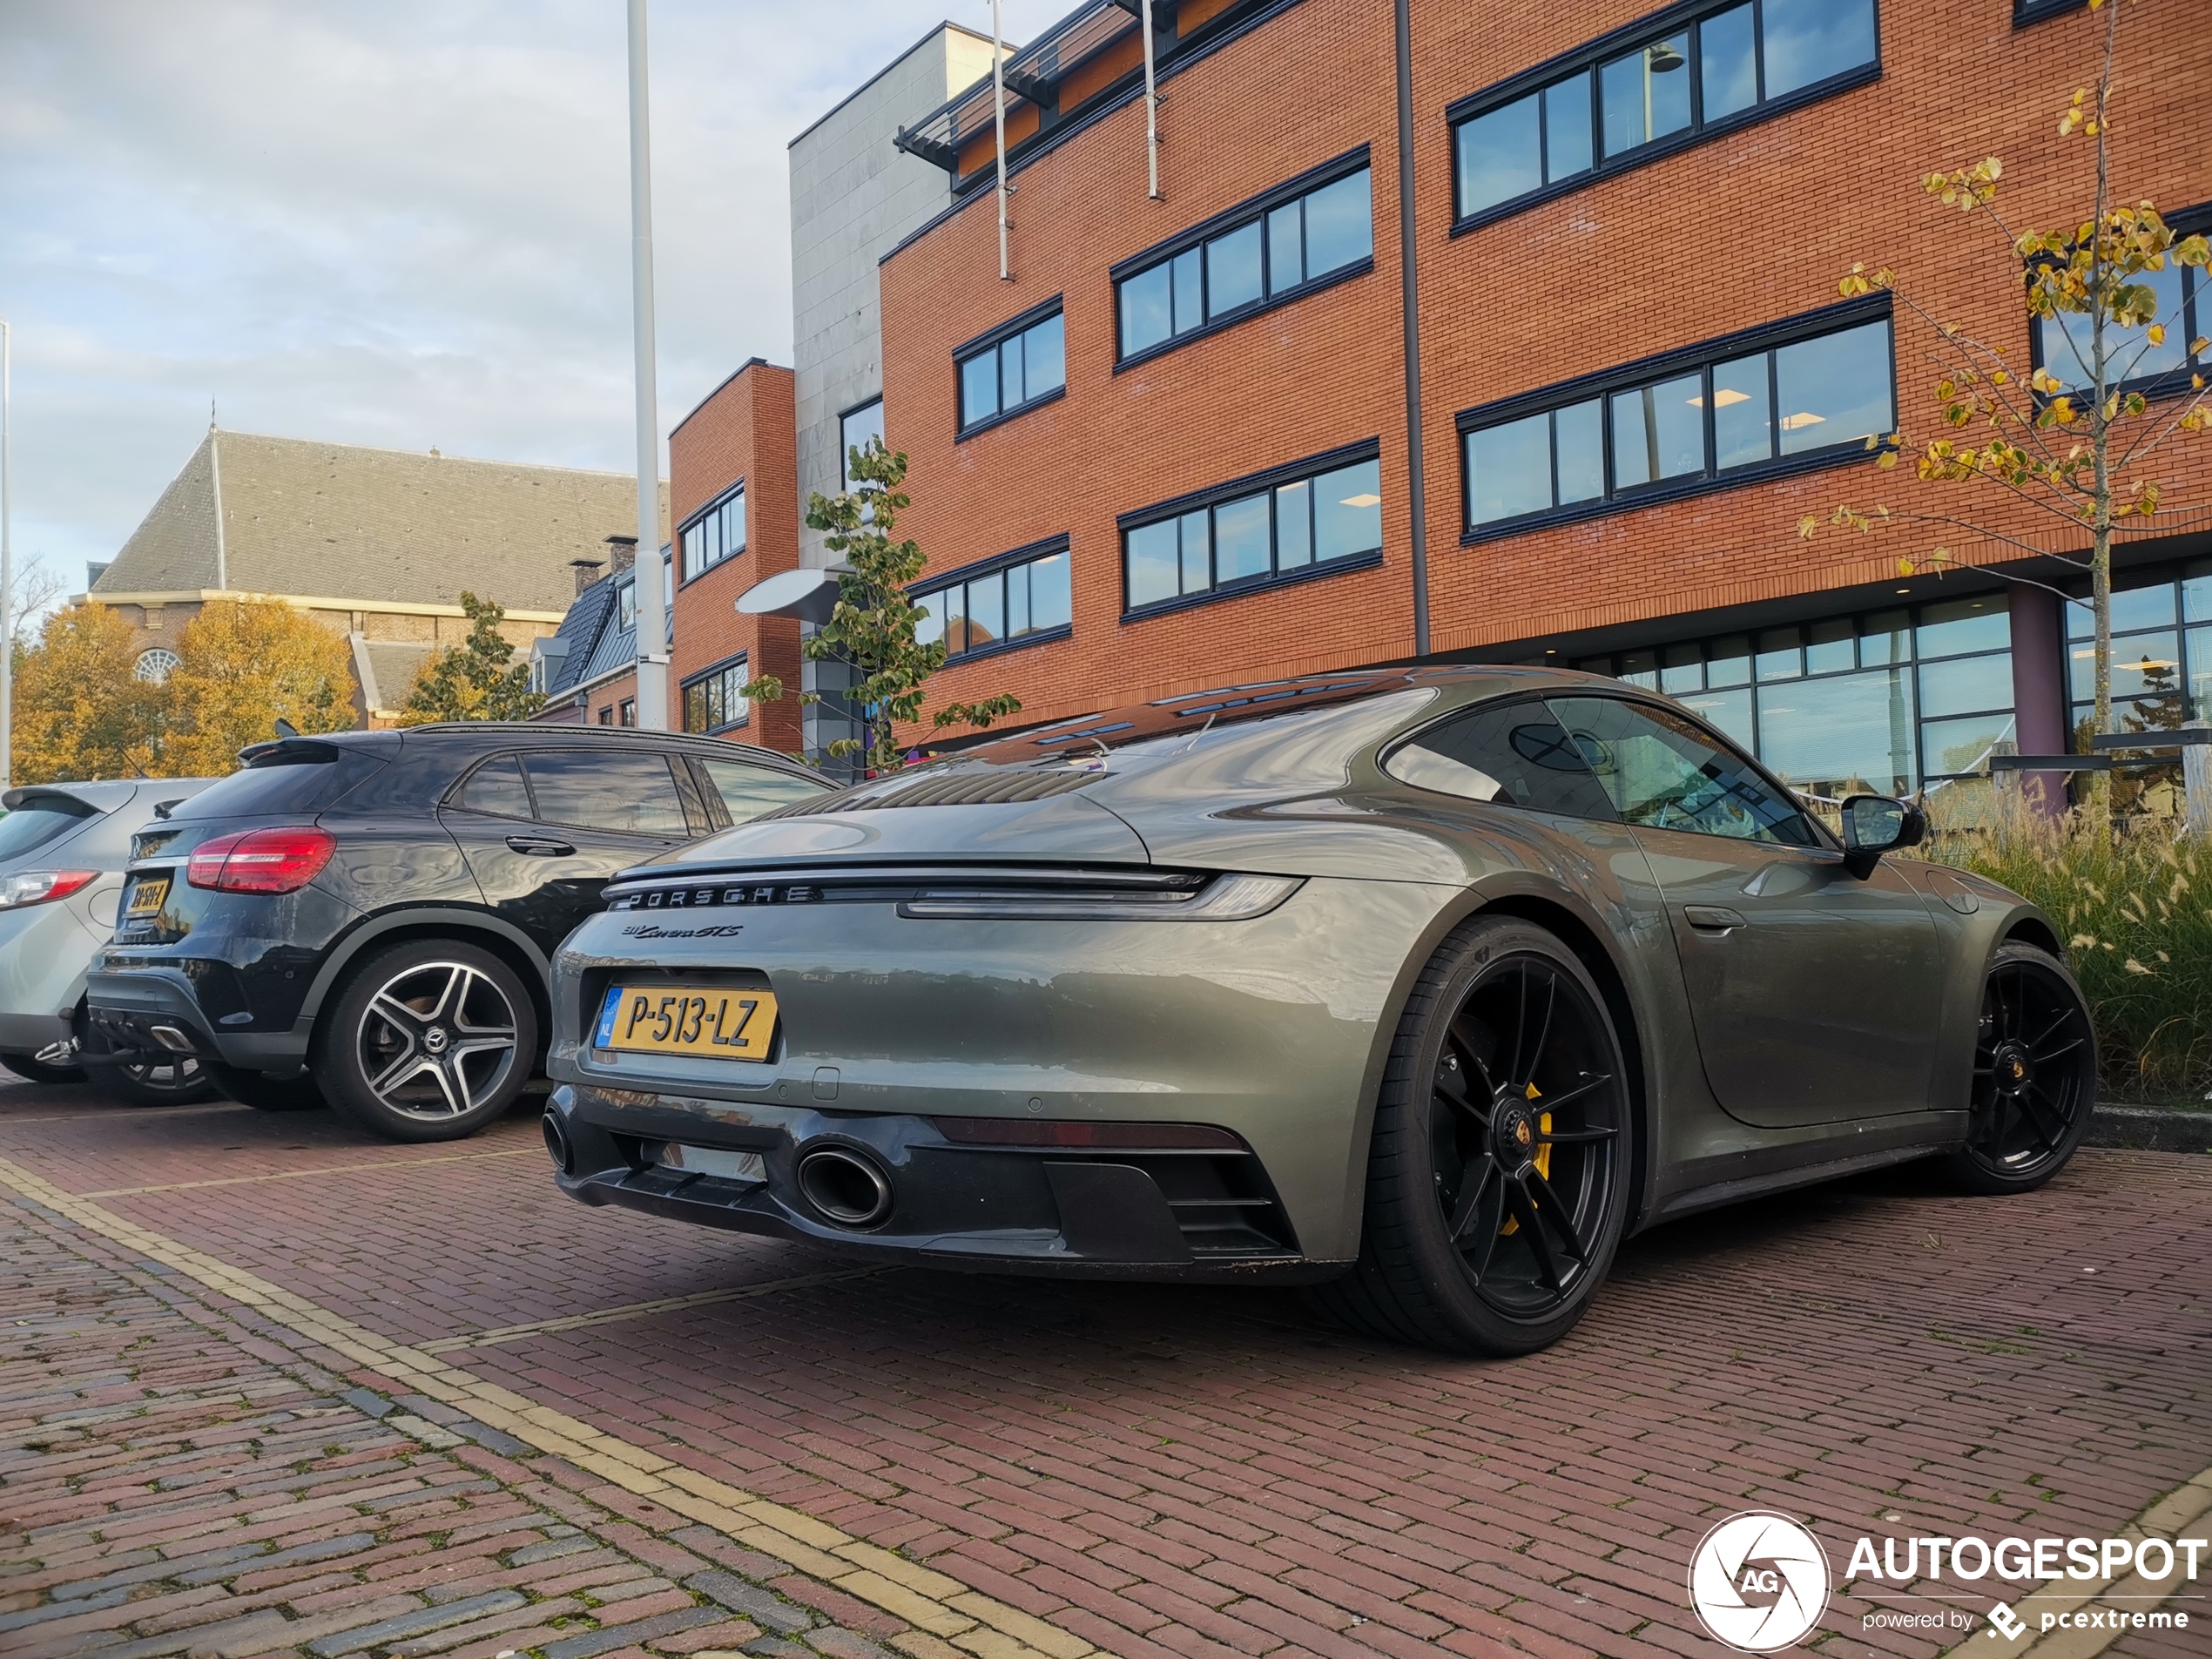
x: 1724, y: 236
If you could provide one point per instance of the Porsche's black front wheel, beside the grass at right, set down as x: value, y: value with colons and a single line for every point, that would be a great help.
x: 2034, y: 1074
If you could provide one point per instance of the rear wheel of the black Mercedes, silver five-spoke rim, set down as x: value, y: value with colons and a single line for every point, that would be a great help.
x: 428, y: 1043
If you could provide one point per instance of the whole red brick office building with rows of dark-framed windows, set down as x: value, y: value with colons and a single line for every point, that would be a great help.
x: 1516, y: 335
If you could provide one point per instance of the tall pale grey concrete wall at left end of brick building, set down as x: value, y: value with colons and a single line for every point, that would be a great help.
x: 853, y: 200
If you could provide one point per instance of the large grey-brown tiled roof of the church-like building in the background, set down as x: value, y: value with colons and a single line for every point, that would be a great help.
x: 342, y: 521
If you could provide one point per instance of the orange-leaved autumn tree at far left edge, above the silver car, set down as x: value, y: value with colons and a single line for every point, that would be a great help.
x: 81, y: 711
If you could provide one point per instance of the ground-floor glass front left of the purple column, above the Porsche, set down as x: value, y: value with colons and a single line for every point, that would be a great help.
x: 1886, y: 702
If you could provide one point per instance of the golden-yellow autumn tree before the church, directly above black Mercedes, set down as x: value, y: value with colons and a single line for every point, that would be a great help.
x: 244, y: 665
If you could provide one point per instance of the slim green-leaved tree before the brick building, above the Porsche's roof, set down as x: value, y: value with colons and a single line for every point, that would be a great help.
x: 875, y: 620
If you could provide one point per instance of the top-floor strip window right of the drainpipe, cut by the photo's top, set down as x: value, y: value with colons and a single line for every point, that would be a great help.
x: 1605, y: 109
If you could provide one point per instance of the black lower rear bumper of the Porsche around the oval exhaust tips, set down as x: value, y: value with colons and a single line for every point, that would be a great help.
x: 1127, y: 1213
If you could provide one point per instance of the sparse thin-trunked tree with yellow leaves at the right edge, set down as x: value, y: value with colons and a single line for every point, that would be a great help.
x: 2072, y: 437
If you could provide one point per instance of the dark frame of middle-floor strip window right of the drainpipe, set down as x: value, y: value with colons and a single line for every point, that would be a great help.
x: 1687, y: 359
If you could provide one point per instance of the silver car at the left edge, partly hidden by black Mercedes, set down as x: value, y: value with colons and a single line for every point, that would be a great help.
x: 63, y: 853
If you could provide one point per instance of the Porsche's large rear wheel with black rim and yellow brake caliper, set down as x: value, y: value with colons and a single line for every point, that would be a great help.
x: 1499, y: 1171
